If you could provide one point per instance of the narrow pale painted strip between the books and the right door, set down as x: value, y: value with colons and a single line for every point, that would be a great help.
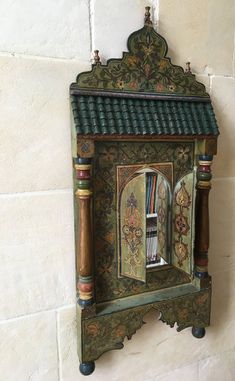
x: 162, y: 195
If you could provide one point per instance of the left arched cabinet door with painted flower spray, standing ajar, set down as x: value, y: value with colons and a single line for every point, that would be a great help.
x: 132, y: 229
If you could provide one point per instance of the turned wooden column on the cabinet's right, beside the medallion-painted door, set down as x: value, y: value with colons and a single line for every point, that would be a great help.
x: 202, y: 215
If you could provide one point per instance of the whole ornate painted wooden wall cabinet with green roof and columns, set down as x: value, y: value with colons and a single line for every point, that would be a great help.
x: 145, y: 135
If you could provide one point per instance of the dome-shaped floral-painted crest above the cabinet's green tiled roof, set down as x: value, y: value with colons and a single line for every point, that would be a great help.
x: 145, y: 68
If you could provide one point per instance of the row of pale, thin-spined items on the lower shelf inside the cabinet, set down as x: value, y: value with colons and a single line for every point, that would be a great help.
x: 151, y: 238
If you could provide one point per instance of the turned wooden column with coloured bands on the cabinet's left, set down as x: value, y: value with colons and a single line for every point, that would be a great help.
x: 84, y: 245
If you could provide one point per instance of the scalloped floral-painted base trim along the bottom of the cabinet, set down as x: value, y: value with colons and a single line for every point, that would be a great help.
x: 107, y: 332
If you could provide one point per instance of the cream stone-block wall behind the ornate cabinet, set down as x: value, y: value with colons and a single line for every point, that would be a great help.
x: 43, y: 45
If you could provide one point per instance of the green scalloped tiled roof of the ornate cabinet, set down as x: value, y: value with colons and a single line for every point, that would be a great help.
x: 106, y: 115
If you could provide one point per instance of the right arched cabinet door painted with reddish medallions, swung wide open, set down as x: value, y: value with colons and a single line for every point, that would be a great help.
x: 183, y: 225
